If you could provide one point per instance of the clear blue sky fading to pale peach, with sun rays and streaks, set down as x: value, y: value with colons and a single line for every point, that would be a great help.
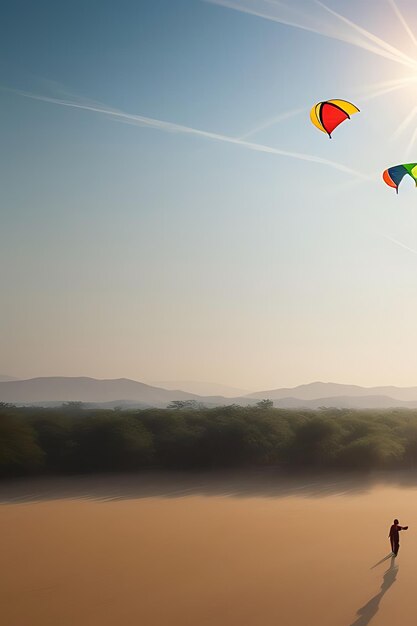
x: 169, y: 213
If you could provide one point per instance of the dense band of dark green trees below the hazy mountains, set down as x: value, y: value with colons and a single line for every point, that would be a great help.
x: 74, y: 439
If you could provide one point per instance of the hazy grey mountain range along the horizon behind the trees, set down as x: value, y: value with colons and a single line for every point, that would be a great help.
x: 49, y: 391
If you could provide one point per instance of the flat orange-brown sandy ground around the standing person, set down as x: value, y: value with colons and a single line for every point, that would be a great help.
x: 176, y: 551
